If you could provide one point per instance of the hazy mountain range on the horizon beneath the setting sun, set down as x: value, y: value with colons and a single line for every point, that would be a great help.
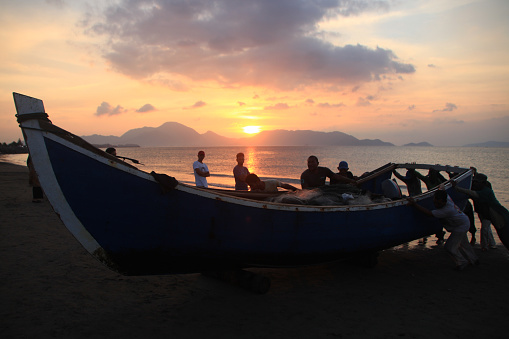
x: 173, y: 134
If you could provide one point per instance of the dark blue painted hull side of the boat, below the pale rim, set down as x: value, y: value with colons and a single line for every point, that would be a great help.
x: 145, y: 231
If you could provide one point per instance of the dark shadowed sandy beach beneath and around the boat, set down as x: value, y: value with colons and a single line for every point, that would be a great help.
x: 52, y: 288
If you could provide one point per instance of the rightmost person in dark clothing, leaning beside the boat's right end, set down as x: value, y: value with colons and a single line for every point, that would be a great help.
x: 489, y: 211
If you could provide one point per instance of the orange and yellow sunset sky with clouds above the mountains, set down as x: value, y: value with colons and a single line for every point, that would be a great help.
x: 397, y: 70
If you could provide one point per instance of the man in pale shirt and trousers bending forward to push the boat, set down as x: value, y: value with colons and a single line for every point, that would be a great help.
x: 456, y: 222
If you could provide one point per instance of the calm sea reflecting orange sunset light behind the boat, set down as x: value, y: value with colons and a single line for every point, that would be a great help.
x: 286, y: 163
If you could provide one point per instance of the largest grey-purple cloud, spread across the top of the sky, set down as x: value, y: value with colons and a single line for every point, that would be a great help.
x: 260, y: 42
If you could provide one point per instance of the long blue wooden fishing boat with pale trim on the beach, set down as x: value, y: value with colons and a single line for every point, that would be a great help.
x: 124, y: 218
